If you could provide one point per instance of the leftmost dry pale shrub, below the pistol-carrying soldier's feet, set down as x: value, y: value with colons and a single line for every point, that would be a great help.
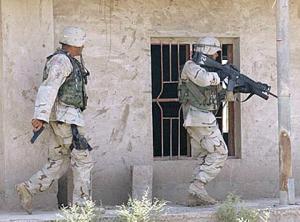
x: 88, y: 212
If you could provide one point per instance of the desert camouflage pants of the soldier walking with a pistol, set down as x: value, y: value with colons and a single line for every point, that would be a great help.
x: 59, y: 159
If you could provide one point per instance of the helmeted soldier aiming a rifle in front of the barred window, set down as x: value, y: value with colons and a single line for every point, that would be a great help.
x: 199, y: 93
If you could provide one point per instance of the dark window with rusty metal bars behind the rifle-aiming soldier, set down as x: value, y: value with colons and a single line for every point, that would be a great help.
x: 170, y: 139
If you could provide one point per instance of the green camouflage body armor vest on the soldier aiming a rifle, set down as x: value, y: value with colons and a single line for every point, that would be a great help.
x: 205, y: 98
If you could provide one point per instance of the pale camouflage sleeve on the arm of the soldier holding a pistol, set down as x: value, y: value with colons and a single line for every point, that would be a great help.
x: 58, y: 68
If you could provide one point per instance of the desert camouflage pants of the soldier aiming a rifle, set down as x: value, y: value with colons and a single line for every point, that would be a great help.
x: 209, y: 148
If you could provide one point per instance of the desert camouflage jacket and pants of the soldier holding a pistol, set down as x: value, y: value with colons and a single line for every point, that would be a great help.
x: 60, y: 116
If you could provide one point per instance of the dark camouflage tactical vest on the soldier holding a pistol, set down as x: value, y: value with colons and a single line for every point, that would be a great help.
x: 72, y: 91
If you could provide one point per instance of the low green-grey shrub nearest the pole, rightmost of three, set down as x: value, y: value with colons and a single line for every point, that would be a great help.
x: 232, y: 211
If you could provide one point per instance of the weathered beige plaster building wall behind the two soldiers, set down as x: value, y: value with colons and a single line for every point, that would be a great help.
x: 118, y: 117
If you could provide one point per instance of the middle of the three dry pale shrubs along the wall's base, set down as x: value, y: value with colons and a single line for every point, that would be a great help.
x: 143, y: 210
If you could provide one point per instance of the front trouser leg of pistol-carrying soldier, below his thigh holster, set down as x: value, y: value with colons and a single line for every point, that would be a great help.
x: 82, y: 164
